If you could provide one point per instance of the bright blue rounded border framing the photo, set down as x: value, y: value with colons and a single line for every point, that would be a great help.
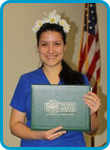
x: 1, y: 71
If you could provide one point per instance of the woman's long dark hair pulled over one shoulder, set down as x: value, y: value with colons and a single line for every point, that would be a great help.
x: 67, y: 75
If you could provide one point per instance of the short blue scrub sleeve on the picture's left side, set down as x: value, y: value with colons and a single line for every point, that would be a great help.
x: 19, y: 98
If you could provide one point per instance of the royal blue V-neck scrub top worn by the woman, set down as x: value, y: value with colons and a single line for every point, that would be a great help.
x: 22, y: 102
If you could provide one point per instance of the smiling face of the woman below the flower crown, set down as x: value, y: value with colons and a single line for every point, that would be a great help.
x: 51, y: 48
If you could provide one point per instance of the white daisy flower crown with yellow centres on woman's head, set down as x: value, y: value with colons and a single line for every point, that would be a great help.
x: 52, y: 18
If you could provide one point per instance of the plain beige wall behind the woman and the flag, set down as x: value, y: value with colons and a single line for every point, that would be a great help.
x: 20, y: 53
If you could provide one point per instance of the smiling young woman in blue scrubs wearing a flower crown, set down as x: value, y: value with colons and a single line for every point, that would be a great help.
x: 51, y: 42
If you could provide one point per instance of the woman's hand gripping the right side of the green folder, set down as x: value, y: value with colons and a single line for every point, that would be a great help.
x: 93, y: 102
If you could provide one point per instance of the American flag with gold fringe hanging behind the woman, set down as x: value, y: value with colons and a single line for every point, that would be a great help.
x: 89, y: 59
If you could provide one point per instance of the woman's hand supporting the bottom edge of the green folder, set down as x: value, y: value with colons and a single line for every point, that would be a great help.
x: 50, y: 134
